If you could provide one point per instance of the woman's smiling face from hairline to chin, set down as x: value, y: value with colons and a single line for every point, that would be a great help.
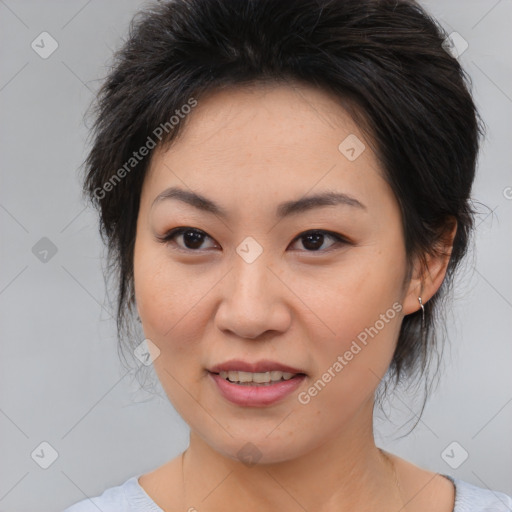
x: 247, y: 282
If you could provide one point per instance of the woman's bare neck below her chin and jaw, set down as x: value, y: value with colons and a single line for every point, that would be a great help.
x: 344, y: 472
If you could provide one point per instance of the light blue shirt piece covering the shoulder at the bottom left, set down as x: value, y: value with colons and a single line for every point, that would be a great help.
x: 129, y: 497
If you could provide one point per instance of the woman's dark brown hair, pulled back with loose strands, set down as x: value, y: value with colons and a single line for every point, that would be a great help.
x: 383, y: 59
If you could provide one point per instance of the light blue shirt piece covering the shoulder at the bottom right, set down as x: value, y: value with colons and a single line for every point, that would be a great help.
x: 471, y: 498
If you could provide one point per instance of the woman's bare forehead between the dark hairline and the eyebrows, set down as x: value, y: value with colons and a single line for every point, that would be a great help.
x: 261, y: 140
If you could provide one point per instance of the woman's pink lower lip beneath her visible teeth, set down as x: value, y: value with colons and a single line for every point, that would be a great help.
x: 256, y: 395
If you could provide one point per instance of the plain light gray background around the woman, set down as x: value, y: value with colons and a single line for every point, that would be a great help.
x: 60, y: 376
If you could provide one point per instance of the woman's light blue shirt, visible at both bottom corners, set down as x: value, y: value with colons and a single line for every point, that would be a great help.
x: 131, y: 497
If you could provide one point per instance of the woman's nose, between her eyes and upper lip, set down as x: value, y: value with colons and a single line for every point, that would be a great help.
x: 253, y: 301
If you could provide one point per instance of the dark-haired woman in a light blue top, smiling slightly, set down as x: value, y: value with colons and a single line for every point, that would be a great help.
x: 284, y: 190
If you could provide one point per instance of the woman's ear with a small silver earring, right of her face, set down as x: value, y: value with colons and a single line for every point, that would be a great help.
x: 428, y: 273
